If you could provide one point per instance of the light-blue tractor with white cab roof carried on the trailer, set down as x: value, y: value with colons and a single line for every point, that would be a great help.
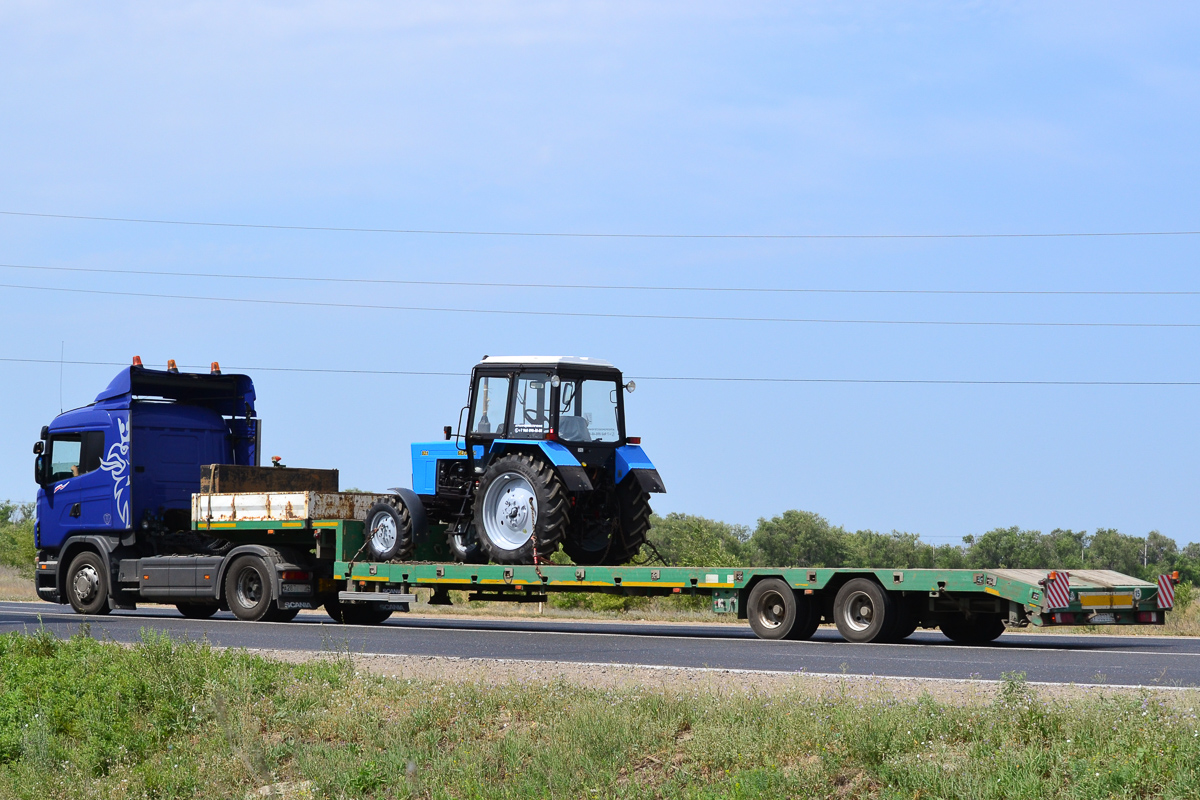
x: 543, y: 461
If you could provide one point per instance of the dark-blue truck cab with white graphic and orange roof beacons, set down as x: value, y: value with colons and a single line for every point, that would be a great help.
x: 116, y: 478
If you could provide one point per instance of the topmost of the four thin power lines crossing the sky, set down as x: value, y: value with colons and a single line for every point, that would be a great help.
x: 441, y: 232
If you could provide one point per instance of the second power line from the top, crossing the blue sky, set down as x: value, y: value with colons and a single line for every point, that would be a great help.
x: 511, y: 285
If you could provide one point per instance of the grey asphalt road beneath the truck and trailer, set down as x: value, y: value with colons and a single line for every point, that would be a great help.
x: 1163, y: 661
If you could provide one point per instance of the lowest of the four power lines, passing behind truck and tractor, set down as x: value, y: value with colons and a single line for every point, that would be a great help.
x: 664, y: 378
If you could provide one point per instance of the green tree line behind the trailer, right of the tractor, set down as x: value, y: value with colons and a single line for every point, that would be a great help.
x: 807, y: 539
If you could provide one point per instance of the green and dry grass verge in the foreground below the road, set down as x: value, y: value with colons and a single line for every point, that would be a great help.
x: 85, y: 719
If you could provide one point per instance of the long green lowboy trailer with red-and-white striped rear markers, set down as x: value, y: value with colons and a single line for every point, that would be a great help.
x: 880, y: 605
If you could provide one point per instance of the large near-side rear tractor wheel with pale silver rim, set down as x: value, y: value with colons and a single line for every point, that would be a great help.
x: 521, y: 510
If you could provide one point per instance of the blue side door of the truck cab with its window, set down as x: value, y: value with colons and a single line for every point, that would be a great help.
x: 79, y: 494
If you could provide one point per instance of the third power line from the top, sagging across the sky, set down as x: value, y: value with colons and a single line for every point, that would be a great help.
x: 509, y: 312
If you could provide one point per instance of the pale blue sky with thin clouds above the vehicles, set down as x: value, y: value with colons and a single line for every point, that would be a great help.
x: 639, y: 118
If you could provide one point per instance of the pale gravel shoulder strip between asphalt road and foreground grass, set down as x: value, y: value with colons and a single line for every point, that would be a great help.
x: 691, y: 682
